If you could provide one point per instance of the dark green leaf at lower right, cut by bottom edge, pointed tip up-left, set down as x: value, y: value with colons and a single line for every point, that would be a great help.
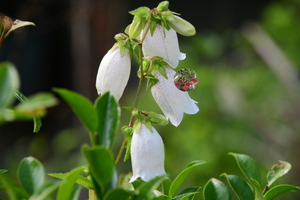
x: 240, y: 187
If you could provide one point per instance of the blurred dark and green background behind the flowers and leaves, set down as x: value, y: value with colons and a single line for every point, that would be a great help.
x: 246, y: 55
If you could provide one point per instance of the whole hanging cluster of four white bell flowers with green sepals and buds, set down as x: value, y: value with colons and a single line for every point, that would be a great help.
x: 156, y: 32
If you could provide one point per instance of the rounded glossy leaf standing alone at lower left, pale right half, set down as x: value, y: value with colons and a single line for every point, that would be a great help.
x: 31, y: 174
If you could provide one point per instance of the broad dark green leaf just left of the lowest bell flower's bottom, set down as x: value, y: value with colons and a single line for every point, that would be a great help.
x: 101, y: 165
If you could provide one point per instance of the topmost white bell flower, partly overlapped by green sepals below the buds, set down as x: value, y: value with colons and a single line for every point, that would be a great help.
x: 163, y: 43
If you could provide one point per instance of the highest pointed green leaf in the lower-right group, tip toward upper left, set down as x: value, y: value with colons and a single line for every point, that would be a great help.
x: 248, y: 166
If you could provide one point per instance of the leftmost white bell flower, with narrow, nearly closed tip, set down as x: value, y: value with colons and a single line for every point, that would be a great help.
x: 113, y: 73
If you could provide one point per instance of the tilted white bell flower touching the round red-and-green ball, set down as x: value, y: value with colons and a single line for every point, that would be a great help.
x: 173, y: 102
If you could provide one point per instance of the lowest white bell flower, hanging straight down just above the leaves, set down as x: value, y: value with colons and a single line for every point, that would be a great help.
x: 147, y: 154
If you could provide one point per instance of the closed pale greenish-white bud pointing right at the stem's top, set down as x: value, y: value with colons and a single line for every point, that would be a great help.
x: 182, y: 26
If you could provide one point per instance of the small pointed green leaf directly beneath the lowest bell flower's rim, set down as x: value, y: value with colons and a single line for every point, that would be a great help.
x: 145, y: 190
